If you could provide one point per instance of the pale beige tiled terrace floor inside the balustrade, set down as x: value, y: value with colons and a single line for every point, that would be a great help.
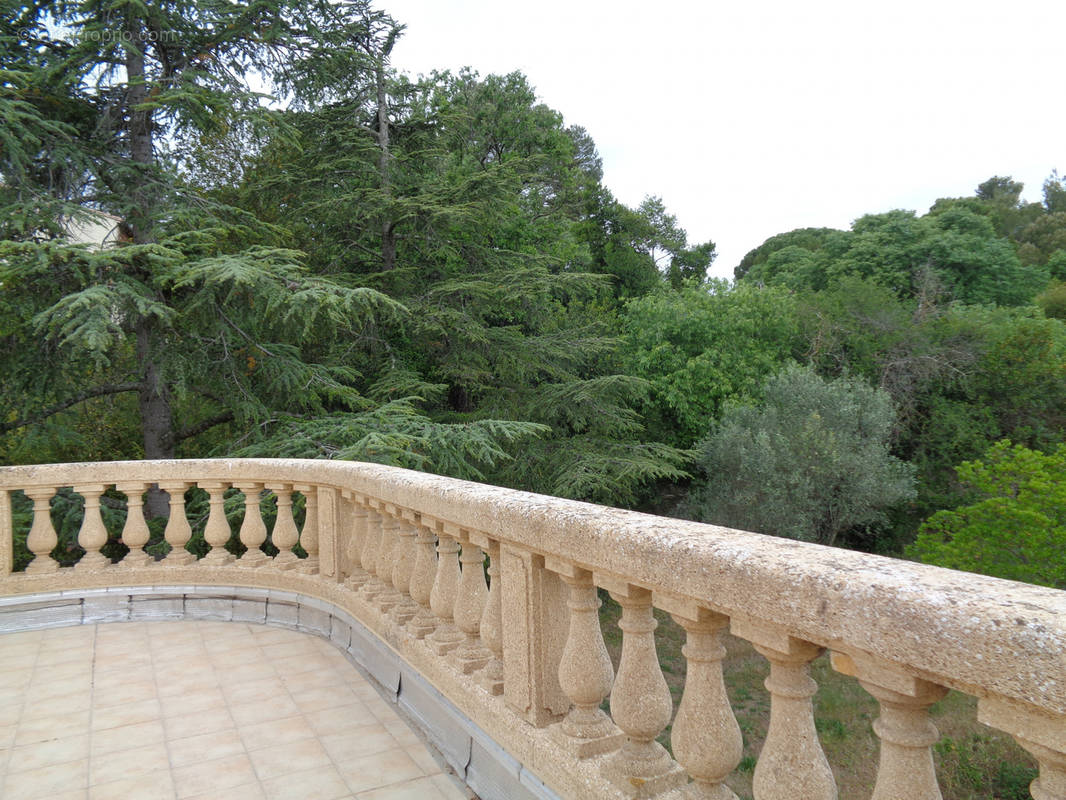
x: 200, y: 710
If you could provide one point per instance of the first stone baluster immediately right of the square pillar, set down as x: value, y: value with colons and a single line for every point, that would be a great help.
x: 586, y: 674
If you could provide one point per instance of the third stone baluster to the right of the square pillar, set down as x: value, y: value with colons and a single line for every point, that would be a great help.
x: 706, y: 739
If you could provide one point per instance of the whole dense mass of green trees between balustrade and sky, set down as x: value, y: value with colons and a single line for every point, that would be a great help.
x: 431, y: 273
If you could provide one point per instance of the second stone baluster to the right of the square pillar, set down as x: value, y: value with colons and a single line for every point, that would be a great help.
x: 641, y: 703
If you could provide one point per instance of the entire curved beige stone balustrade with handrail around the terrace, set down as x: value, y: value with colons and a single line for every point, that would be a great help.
x: 519, y: 661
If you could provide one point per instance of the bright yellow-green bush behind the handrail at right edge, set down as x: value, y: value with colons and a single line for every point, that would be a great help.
x: 1015, y: 530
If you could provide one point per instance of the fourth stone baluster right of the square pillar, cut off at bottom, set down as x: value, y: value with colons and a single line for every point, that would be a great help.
x: 793, y: 763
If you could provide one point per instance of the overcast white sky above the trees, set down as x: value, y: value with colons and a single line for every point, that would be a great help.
x: 752, y: 118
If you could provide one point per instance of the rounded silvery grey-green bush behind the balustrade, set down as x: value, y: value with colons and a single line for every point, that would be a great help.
x: 811, y: 462
